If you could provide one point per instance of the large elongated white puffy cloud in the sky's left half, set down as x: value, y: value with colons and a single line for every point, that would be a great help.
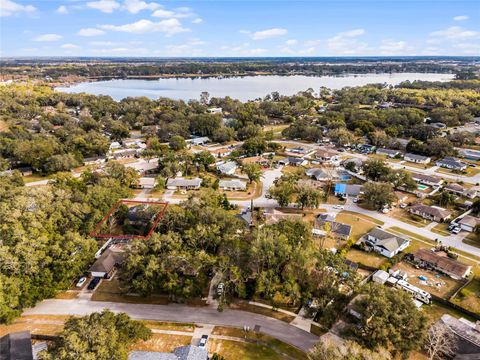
x: 168, y: 27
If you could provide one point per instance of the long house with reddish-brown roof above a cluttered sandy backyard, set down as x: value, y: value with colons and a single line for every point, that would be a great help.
x: 442, y: 263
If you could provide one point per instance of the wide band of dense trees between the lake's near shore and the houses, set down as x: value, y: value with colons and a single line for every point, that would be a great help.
x: 52, y: 131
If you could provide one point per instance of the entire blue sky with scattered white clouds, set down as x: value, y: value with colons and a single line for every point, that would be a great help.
x: 238, y: 28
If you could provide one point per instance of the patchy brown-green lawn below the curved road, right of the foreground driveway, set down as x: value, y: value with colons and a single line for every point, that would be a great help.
x: 279, y: 347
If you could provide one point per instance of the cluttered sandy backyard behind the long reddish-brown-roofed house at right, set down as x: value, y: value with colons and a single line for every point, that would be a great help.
x: 437, y: 284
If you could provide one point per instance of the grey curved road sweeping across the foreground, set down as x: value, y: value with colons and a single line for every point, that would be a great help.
x: 182, y: 313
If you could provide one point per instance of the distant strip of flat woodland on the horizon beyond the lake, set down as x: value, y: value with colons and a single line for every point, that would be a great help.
x: 104, y: 68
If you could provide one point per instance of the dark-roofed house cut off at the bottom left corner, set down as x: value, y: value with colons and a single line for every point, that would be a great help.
x: 16, y: 346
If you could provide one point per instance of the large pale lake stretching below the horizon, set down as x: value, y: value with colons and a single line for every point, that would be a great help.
x: 242, y: 88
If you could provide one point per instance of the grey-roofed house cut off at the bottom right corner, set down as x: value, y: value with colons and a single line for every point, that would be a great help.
x: 467, y: 337
